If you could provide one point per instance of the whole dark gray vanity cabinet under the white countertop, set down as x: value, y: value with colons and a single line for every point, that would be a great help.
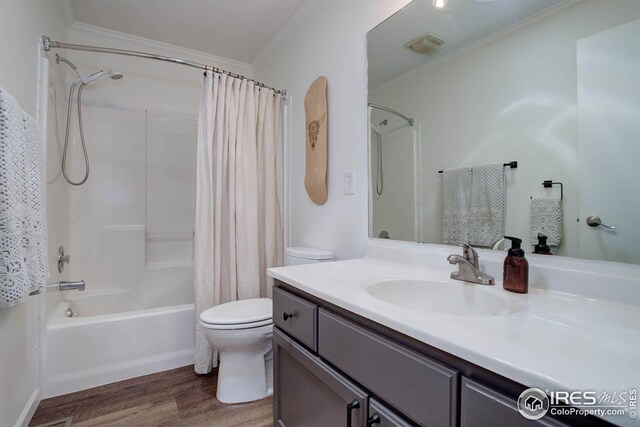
x: 334, y: 368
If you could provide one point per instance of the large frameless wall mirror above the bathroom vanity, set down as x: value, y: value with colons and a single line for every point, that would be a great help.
x: 553, y: 85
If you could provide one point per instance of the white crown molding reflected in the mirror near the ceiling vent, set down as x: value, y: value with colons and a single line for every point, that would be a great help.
x: 545, y: 15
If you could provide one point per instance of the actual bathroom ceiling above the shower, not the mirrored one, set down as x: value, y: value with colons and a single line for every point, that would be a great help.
x: 234, y: 29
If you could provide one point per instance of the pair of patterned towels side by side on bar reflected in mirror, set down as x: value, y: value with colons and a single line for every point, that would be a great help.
x: 473, y: 204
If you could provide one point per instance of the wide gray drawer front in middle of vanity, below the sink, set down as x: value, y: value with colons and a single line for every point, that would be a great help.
x: 422, y: 389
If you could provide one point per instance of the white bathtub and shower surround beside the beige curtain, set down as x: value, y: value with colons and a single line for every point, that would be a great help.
x: 130, y: 237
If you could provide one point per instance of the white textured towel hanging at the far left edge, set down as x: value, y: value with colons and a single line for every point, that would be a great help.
x: 23, y: 236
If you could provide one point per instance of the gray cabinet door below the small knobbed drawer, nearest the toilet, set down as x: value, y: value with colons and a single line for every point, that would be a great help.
x: 308, y: 393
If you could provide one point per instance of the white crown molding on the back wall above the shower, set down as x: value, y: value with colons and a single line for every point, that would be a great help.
x: 131, y: 42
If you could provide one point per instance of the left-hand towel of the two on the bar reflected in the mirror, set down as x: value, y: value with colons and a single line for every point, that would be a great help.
x: 456, y: 202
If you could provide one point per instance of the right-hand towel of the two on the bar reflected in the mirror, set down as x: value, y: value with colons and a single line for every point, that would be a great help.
x: 487, y: 212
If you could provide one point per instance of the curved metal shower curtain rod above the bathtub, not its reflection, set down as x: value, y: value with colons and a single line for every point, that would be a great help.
x: 50, y: 44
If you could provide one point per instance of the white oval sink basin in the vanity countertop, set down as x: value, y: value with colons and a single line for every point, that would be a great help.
x: 459, y: 299
